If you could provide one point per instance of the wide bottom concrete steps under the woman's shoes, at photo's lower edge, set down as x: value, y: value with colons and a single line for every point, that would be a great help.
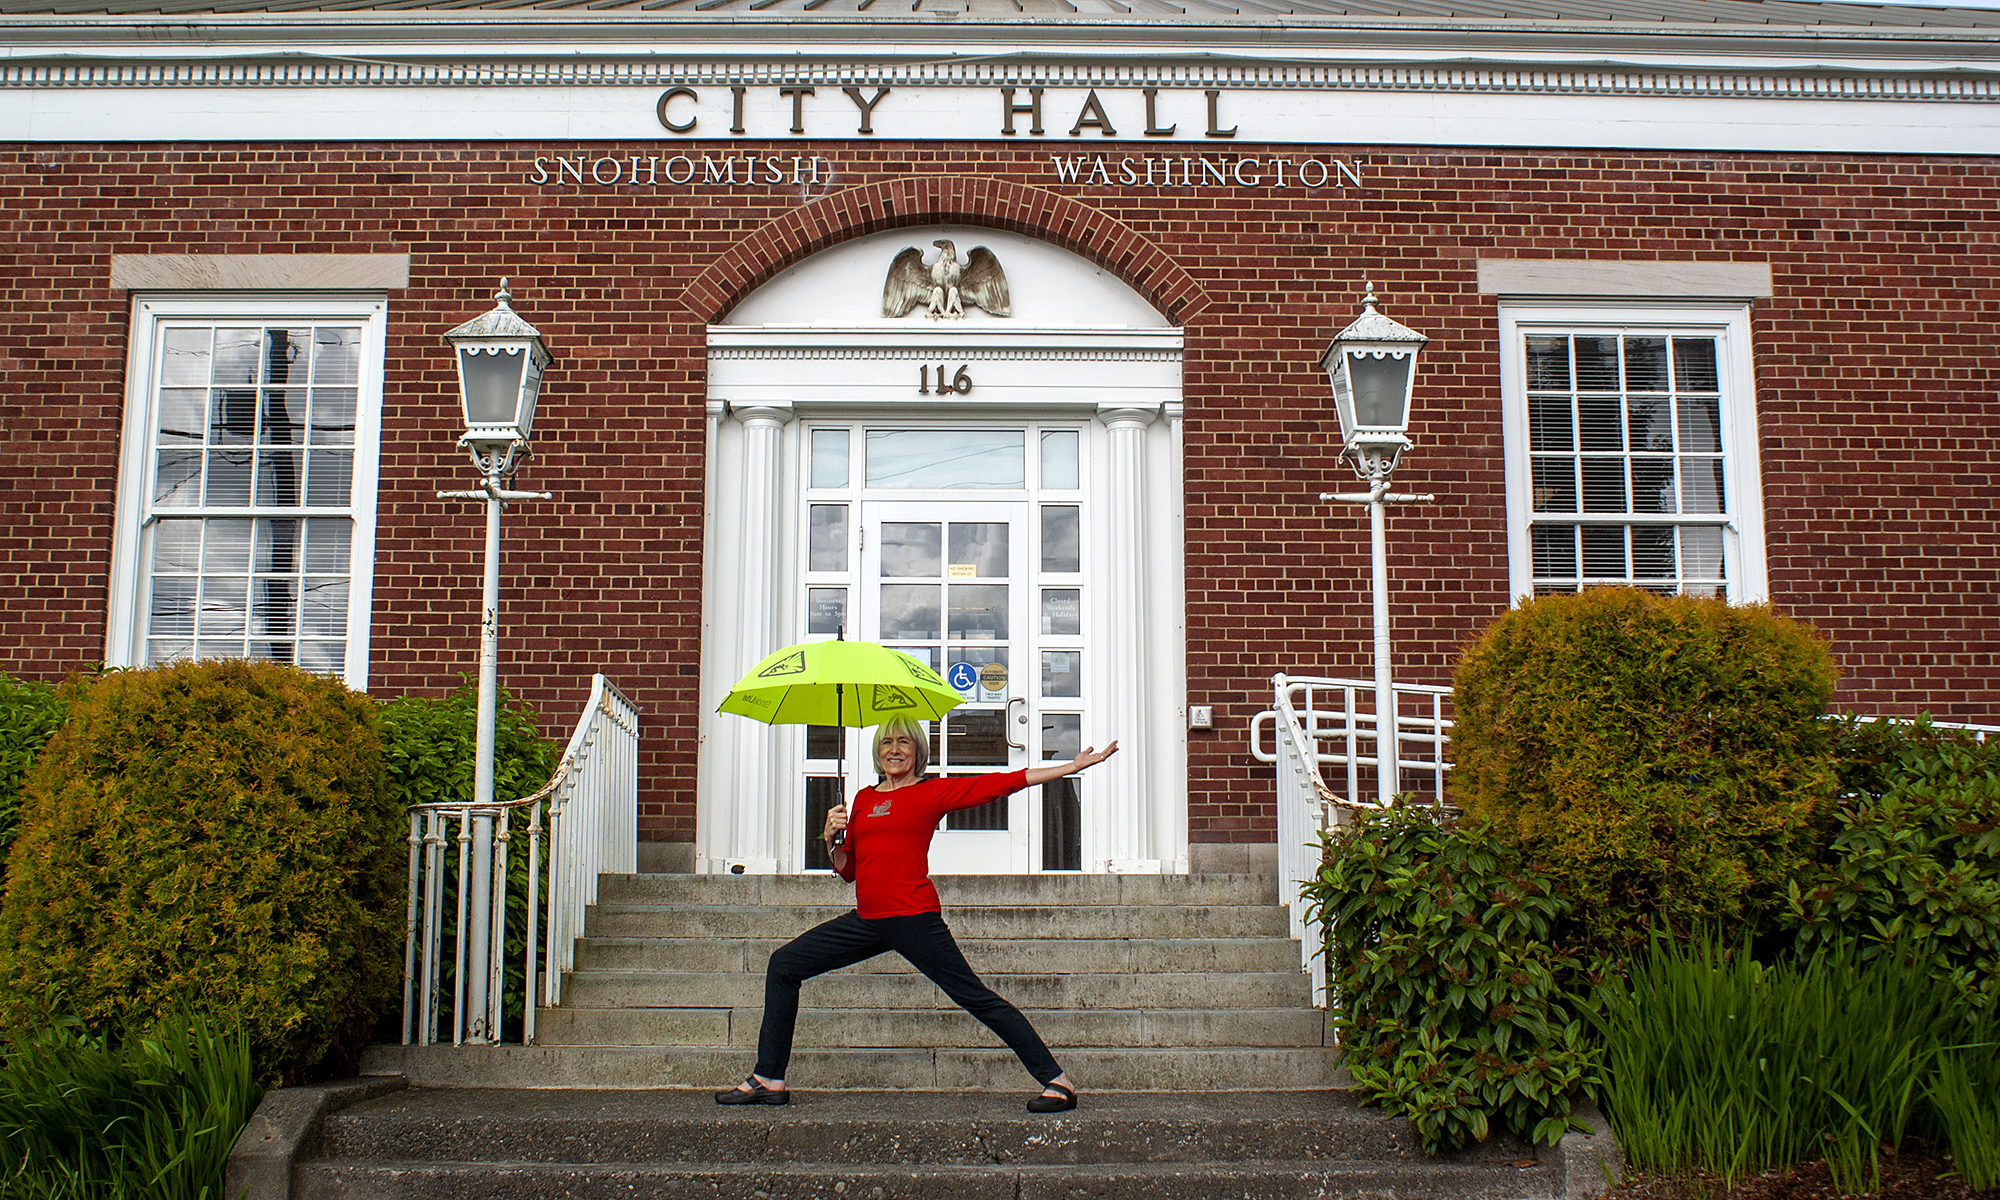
x: 499, y: 1145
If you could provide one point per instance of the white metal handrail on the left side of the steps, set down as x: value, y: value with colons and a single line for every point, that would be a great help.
x: 593, y: 827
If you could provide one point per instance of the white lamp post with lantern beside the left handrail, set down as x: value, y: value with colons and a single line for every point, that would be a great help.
x: 501, y: 361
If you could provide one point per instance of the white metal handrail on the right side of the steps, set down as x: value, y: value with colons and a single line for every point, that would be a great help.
x: 1299, y: 723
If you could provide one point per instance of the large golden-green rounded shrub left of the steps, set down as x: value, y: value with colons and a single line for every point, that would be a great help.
x: 215, y: 837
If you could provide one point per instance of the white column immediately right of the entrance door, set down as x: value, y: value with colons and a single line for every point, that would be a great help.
x: 1117, y: 797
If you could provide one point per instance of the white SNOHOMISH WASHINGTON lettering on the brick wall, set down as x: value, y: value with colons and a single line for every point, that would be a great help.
x: 1085, y: 171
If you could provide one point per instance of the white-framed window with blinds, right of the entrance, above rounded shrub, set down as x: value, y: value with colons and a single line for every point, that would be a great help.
x: 1631, y: 449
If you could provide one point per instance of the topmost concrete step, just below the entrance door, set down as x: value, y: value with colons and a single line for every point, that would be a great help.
x: 955, y: 891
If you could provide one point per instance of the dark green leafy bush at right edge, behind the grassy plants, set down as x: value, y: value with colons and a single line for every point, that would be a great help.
x: 1913, y: 869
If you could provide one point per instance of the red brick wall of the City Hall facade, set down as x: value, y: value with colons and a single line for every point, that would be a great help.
x: 1875, y: 365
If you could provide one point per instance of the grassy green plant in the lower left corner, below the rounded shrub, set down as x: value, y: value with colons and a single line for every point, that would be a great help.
x: 83, y: 1119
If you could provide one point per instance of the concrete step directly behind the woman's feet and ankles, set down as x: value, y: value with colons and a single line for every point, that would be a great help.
x: 1125, y: 1069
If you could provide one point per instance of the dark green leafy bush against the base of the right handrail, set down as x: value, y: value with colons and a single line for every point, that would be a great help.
x: 1453, y: 1003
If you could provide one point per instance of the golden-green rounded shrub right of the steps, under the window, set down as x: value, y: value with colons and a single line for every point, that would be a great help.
x: 1661, y: 759
